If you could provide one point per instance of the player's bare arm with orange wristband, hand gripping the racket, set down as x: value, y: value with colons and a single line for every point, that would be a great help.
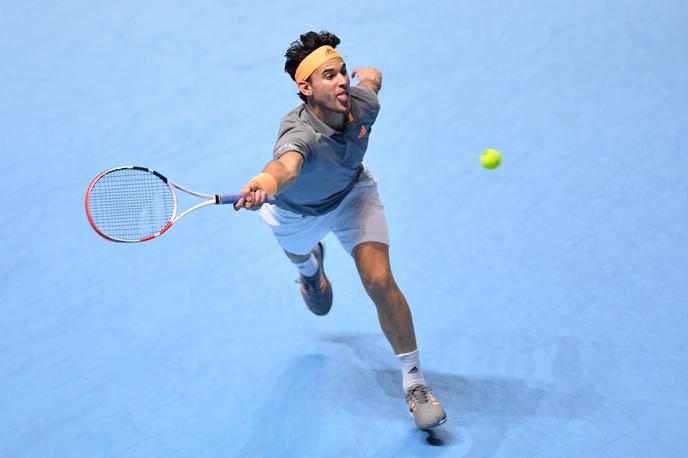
x: 283, y: 171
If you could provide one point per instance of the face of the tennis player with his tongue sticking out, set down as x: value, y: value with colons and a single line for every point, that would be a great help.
x: 330, y: 85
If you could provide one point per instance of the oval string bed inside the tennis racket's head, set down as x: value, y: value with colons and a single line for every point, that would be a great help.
x: 131, y: 204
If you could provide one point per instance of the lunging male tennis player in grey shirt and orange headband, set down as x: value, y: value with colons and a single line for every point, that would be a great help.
x: 320, y: 184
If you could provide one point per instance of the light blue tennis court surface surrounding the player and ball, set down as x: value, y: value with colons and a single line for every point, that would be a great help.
x: 547, y: 294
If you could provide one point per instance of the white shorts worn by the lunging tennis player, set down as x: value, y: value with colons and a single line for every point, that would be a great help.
x: 359, y: 218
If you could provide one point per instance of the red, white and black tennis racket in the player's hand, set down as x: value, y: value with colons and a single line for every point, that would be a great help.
x: 136, y: 204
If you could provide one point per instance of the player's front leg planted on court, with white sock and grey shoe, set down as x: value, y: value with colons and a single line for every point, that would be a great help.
x: 372, y: 261
